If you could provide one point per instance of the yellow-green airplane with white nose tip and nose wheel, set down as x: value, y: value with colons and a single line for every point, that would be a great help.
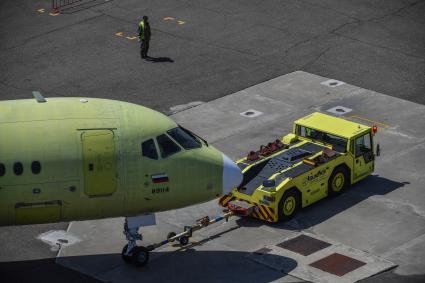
x: 68, y: 159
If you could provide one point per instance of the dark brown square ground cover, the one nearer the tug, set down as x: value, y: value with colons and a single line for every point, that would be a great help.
x: 304, y: 245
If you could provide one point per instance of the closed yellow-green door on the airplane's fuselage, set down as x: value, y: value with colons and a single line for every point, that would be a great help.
x: 99, y: 161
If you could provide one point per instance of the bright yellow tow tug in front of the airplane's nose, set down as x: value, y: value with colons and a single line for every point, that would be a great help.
x: 322, y: 156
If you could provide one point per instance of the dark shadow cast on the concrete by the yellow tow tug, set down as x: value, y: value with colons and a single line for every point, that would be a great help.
x: 331, y: 206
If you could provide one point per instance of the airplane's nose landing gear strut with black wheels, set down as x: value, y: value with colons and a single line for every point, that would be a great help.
x: 131, y: 253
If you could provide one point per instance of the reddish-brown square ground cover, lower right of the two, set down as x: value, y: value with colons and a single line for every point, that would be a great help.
x: 337, y: 264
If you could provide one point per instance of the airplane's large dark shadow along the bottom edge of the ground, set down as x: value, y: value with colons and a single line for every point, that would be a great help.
x: 183, y: 266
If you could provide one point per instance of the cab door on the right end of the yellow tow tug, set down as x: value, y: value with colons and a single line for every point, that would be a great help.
x: 363, y: 156
